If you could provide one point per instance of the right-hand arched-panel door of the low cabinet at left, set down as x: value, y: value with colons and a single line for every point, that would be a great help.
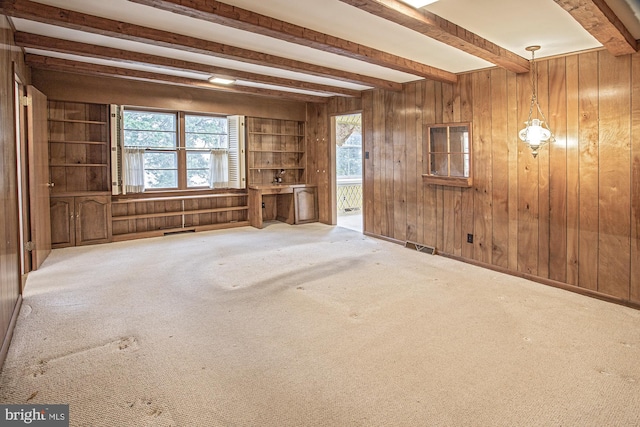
x: 93, y: 220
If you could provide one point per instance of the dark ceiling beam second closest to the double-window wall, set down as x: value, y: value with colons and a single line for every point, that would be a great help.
x: 36, y: 41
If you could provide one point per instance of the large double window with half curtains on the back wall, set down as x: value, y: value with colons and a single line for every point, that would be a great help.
x: 177, y: 151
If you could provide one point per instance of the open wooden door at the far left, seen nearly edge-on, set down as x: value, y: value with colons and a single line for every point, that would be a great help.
x: 38, y: 148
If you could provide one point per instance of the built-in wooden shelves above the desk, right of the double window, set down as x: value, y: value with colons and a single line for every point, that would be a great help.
x: 276, y: 150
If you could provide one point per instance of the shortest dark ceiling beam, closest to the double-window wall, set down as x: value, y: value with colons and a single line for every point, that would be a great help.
x: 57, y: 64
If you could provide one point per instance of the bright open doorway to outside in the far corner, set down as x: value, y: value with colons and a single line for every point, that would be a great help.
x: 348, y: 140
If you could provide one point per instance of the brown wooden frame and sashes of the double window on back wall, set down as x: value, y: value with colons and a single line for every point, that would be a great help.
x: 180, y: 149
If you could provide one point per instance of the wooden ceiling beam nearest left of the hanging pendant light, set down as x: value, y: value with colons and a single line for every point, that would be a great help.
x: 444, y: 31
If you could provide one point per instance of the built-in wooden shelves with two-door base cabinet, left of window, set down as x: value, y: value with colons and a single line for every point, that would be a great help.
x: 79, y: 156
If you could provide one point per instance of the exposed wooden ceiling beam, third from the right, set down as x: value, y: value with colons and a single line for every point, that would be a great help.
x: 246, y: 20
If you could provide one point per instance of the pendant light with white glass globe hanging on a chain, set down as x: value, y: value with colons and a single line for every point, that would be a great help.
x: 537, y: 133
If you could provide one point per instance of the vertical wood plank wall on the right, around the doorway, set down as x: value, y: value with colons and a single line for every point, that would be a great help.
x: 571, y: 216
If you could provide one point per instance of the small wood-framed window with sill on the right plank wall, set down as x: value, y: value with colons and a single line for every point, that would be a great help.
x: 449, y: 155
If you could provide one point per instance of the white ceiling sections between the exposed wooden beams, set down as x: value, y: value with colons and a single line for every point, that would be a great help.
x: 511, y: 24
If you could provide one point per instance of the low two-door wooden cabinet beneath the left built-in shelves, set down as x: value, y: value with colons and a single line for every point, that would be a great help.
x: 80, y: 220
